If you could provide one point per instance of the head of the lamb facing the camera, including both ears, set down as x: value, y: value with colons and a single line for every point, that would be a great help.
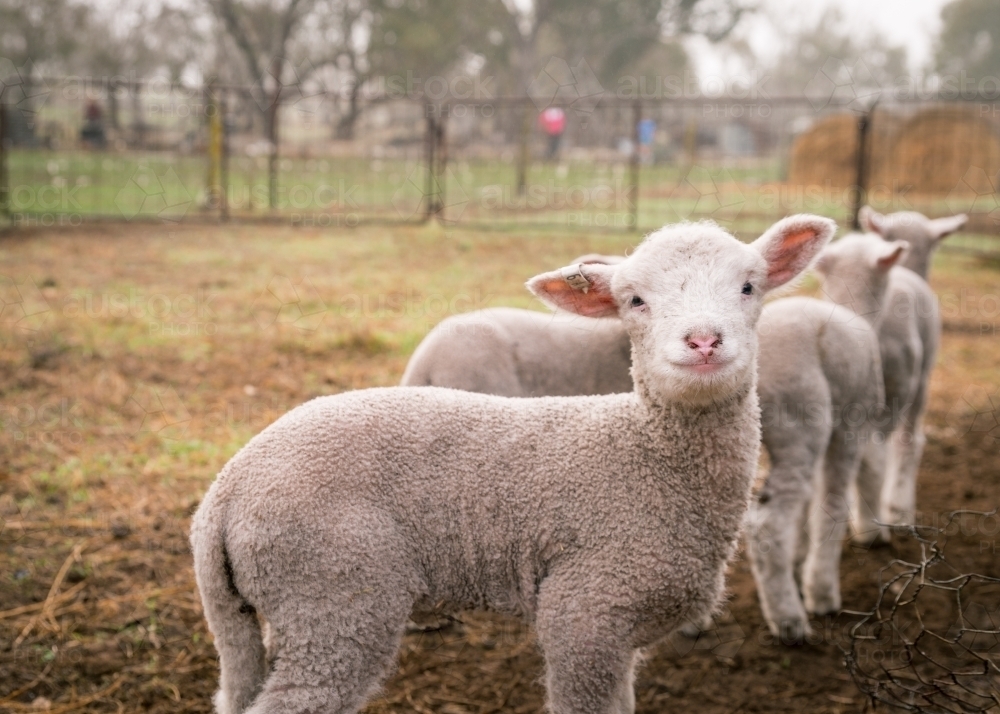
x: 690, y: 297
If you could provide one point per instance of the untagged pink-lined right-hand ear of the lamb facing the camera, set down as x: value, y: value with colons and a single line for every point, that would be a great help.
x: 790, y: 245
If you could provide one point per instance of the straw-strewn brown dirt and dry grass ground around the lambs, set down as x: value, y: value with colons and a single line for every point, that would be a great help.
x: 134, y: 360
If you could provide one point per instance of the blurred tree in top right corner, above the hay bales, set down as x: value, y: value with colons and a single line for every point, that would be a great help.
x: 969, y: 39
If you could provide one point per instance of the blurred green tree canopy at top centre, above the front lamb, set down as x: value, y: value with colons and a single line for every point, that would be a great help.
x: 511, y: 42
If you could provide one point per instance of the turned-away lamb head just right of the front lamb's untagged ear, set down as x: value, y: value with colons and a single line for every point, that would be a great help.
x: 855, y: 272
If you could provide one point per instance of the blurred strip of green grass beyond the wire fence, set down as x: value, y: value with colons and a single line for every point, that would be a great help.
x: 62, y: 188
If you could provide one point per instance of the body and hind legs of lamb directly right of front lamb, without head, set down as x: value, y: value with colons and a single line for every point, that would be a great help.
x: 820, y: 386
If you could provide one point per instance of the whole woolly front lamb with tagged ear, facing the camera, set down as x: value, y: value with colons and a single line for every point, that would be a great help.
x: 606, y: 520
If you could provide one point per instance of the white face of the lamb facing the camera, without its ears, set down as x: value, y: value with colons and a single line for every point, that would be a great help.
x: 690, y: 297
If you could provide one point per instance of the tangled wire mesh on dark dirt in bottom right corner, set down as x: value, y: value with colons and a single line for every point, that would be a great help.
x: 932, y: 641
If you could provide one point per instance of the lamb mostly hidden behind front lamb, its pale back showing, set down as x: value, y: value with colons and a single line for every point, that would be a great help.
x: 523, y: 353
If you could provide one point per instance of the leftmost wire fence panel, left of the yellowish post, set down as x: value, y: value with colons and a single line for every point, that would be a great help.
x: 136, y: 152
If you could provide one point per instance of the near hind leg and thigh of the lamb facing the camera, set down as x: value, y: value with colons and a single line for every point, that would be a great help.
x: 336, y: 617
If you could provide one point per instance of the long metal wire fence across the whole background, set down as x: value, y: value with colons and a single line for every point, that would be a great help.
x: 73, y: 150
